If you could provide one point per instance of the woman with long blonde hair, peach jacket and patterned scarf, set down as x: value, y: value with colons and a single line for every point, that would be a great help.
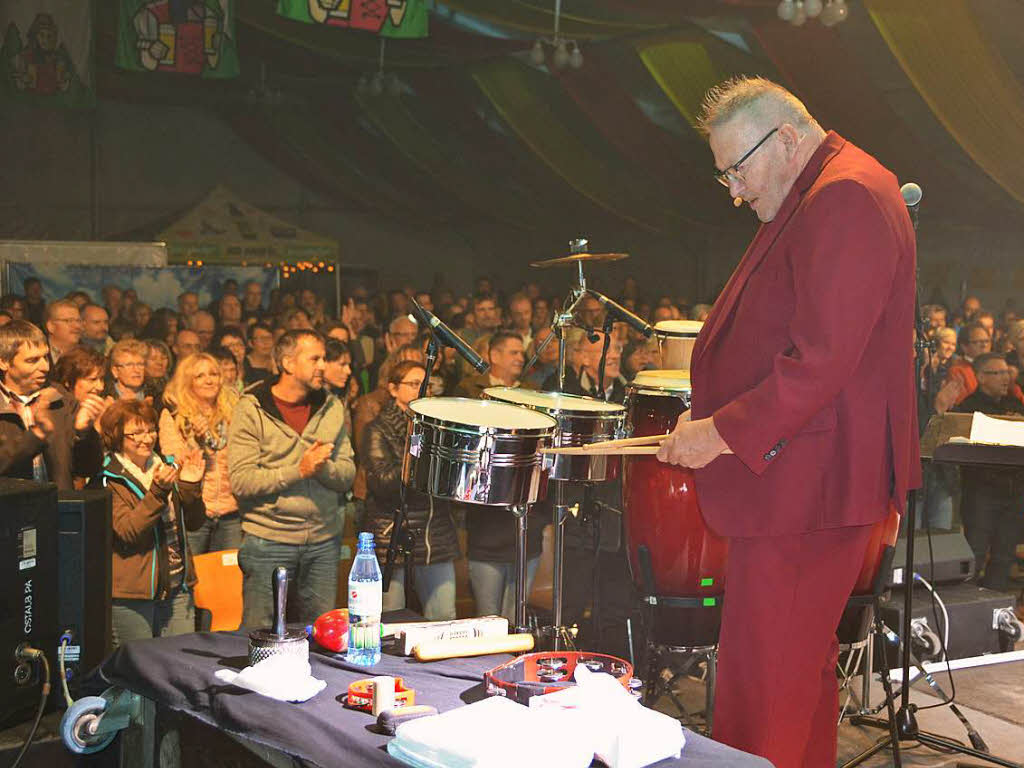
x: 197, y: 415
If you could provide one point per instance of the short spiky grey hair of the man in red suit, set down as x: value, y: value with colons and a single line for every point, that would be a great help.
x: 756, y: 99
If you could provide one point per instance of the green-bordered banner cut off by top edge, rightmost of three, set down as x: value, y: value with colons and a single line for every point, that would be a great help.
x: 394, y: 19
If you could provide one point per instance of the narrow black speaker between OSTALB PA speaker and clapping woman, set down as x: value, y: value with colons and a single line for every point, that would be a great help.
x: 84, y: 521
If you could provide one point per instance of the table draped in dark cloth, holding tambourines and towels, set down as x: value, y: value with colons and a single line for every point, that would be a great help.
x: 178, y: 673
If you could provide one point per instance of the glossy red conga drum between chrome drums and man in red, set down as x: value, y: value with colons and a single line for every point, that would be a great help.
x: 663, y: 522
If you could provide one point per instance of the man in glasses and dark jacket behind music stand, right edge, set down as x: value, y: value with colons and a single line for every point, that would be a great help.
x: 993, y: 498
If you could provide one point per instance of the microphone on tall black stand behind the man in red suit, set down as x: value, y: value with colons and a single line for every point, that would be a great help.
x: 906, y: 729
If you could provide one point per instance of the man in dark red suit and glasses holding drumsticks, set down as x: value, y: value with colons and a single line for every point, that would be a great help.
x: 803, y: 424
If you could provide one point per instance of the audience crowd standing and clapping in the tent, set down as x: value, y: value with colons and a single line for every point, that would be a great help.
x: 263, y: 423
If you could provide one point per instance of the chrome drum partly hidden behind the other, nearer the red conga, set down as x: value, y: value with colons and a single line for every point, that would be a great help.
x: 581, y: 420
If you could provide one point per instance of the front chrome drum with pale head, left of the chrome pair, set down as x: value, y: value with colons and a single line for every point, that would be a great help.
x: 481, y: 452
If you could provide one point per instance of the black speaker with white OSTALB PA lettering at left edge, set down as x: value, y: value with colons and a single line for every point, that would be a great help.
x: 28, y: 592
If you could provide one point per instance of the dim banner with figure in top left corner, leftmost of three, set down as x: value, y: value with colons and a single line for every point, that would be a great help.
x: 47, y: 53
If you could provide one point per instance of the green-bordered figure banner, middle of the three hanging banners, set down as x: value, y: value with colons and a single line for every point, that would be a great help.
x: 188, y: 37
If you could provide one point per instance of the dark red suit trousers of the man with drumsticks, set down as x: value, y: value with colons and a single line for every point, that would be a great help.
x: 777, y: 694
